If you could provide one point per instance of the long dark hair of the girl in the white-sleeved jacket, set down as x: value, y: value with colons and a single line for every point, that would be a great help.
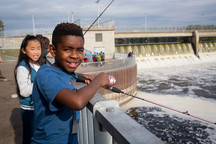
x: 24, y: 57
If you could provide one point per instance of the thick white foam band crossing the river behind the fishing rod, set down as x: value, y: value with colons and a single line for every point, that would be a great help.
x: 203, y: 108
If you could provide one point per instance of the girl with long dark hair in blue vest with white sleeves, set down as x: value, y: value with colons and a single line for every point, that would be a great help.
x: 25, y: 71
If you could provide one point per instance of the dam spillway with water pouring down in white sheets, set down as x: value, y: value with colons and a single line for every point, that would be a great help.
x: 170, y: 54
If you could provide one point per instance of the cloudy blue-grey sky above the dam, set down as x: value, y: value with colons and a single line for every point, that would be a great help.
x: 17, y: 14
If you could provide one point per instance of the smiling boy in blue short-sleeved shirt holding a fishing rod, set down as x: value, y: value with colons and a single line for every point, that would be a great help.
x: 55, y: 99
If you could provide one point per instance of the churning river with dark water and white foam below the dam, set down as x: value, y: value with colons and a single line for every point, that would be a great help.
x: 189, y: 88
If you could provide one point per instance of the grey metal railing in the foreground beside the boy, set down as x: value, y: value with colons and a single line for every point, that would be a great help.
x: 103, y: 122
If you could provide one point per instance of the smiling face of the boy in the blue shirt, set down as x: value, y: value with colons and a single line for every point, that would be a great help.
x: 69, y: 53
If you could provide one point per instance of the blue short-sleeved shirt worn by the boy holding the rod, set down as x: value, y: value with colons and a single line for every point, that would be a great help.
x: 53, y: 122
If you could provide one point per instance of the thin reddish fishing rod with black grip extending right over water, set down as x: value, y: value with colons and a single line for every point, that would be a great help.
x: 117, y: 90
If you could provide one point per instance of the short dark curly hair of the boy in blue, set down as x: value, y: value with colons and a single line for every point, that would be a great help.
x: 66, y: 29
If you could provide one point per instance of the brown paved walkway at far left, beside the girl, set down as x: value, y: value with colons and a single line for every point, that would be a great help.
x: 10, y: 120
